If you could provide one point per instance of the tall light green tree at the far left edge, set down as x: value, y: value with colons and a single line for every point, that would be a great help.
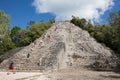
x: 5, y: 40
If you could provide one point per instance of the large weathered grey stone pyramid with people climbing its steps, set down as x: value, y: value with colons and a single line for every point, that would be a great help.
x: 64, y: 45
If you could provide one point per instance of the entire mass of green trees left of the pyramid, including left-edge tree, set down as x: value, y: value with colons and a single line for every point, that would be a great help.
x: 17, y: 37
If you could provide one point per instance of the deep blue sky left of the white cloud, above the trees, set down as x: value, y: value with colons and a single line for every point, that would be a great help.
x: 21, y: 12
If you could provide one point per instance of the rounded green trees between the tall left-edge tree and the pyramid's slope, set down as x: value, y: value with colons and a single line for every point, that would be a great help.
x: 25, y: 37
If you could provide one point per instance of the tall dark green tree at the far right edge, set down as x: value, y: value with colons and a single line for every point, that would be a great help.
x: 114, y: 21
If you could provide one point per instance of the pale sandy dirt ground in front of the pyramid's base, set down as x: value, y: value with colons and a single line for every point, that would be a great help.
x: 61, y: 75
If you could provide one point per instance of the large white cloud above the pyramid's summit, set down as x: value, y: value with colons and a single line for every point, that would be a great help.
x: 64, y: 9
